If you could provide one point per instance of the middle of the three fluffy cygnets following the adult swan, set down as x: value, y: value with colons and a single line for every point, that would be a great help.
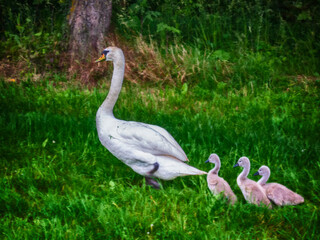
x: 251, y: 190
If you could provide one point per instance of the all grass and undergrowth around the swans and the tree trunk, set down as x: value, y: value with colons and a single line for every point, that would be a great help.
x: 224, y: 77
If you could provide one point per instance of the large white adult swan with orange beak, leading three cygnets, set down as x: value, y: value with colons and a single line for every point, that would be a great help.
x: 148, y: 149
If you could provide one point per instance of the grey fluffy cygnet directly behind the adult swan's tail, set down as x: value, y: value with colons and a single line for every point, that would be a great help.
x: 217, y: 184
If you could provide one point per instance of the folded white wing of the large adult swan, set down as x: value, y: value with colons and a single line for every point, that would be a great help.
x: 146, y: 139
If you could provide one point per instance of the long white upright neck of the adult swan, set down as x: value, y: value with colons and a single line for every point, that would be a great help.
x: 116, y: 84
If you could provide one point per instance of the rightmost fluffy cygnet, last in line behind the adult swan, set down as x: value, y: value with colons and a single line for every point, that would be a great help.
x: 276, y: 192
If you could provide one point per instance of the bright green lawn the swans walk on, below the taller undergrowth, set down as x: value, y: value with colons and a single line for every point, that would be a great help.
x: 59, y: 182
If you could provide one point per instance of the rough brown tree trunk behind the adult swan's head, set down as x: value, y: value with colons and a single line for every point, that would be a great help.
x: 89, y: 21
